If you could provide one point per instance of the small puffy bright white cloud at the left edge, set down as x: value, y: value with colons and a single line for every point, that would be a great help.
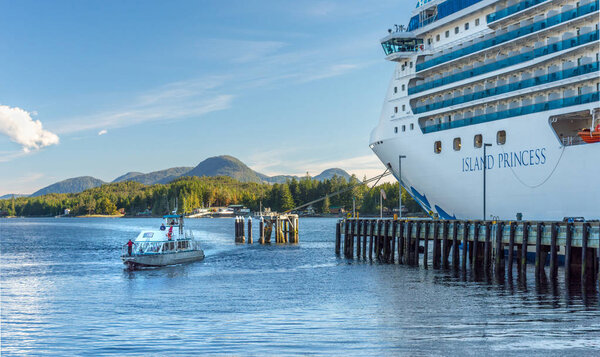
x: 18, y: 125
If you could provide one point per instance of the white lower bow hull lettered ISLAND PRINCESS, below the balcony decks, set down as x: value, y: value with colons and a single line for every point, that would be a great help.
x: 552, y: 182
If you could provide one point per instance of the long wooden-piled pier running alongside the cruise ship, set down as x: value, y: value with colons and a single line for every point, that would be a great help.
x: 479, y: 245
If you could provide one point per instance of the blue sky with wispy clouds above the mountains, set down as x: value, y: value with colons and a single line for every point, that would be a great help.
x: 101, y: 88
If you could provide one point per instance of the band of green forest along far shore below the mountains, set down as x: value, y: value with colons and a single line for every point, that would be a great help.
x: 188, y: 193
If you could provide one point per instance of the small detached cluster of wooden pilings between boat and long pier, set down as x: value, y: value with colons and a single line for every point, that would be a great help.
x: 285, y: 227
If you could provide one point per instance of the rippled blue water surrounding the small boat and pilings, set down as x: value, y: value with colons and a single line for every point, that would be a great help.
x: 65, y: 292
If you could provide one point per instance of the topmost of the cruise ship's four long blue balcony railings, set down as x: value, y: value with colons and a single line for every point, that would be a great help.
x: 511, y: 35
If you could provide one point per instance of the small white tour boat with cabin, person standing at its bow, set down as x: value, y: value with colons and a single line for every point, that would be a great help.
x: 166, y: 245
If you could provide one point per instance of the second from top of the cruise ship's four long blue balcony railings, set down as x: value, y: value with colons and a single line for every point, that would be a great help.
x: 538, y: 52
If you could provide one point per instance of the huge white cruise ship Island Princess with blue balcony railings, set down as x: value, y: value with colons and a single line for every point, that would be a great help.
x: 493, y: 110
